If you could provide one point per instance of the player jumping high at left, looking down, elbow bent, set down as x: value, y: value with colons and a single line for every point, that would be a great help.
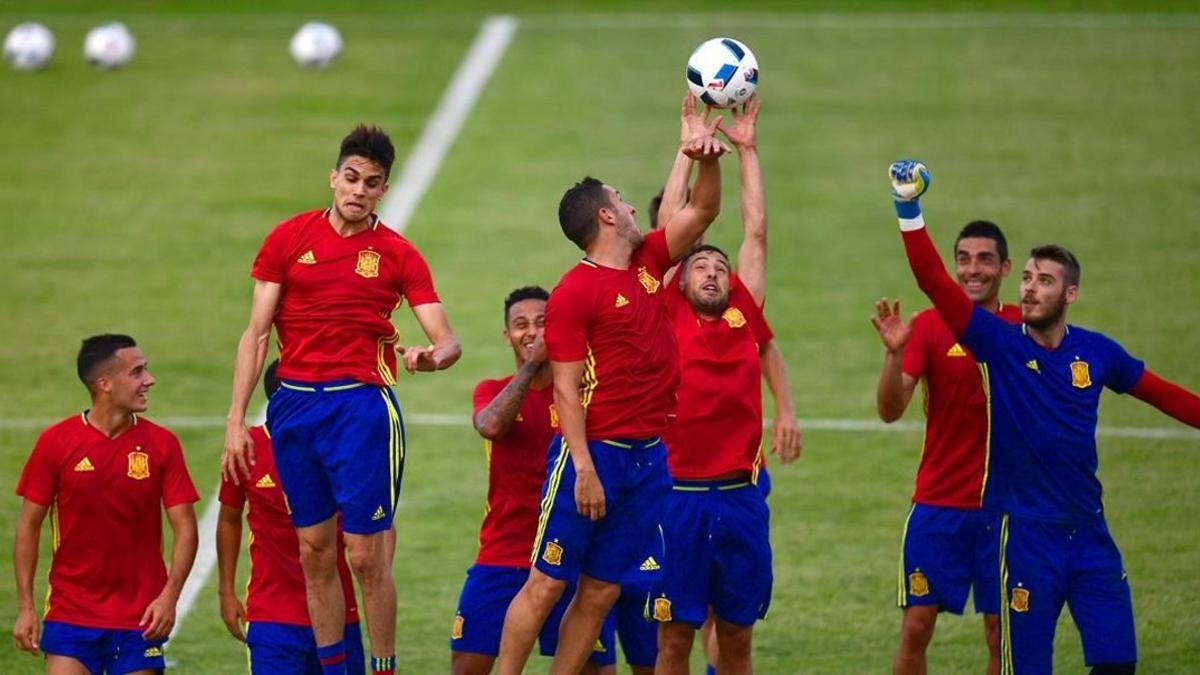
x: 329, y: 282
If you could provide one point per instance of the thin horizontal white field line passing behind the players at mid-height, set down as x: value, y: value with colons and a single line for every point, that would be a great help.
x: 815, y: 425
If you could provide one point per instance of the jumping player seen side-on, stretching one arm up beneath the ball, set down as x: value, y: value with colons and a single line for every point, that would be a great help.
x: 615, y: 373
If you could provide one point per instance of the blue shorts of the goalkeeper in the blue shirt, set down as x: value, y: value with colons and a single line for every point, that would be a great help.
x: 1046, y: 565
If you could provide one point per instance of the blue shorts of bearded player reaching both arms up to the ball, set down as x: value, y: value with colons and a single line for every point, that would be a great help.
x: 718, y: 537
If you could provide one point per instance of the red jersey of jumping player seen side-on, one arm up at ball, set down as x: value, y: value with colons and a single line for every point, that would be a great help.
x: 616, y: 322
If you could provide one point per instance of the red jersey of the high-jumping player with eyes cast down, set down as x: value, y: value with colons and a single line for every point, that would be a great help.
x: 334, y: 320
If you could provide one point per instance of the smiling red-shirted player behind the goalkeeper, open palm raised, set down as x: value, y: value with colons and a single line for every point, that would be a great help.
x: 947, y: 548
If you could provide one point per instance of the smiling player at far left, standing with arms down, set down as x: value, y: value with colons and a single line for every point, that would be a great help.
x: 106, y: 475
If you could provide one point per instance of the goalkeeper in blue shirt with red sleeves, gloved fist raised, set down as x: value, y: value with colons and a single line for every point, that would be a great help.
x: 1043, y: 380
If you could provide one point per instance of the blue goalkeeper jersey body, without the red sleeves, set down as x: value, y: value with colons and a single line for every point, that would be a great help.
x: 1042, y: 410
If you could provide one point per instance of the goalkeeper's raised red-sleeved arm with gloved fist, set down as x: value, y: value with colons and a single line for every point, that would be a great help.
x: 910, y: 180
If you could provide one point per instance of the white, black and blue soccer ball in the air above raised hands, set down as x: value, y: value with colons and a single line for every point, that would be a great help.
x: 723, y: 73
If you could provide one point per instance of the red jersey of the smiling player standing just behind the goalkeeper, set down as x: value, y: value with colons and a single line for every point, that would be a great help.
x: 953, y: 461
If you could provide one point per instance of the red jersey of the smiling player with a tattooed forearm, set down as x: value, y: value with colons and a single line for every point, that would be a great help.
x: 517, y: 469
